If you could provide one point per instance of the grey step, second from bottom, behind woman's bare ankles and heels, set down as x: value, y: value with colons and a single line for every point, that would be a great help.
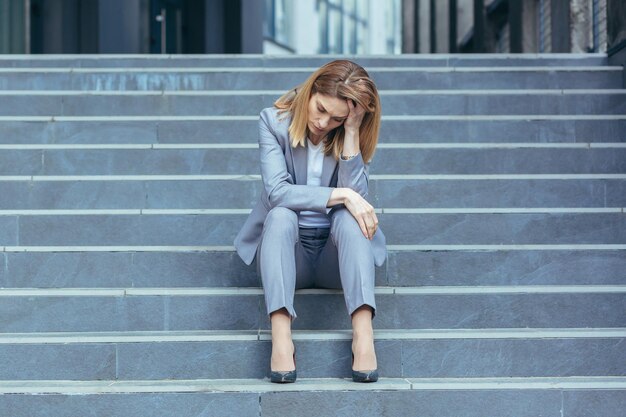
x: 408, y: 354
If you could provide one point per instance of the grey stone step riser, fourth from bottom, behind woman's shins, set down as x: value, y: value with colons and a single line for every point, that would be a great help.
x: 178, y: 269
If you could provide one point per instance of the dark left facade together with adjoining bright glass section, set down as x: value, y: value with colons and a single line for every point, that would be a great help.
x: 200, y: 26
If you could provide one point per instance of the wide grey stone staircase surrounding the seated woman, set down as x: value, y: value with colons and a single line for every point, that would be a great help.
x: 500, y: 183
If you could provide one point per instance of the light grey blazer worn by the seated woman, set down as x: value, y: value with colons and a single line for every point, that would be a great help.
x: 283, y: 170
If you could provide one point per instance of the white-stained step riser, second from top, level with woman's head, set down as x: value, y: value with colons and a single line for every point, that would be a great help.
x: 283, y: 78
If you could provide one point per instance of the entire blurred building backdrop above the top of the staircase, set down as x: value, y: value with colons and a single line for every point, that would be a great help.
x: 311, y: 26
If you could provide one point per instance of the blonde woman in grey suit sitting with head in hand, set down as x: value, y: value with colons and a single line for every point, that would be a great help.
x: 313, y: 226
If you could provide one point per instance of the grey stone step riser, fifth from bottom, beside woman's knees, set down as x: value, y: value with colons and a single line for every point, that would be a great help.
x: 400, y: 229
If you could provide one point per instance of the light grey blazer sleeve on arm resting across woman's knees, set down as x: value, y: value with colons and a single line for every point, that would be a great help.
x: 277, y: 181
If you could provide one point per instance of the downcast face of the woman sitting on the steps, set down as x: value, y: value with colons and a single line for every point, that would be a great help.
x: 325, y: 114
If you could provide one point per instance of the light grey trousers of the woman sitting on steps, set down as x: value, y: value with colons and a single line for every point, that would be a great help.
x: 291, y: 257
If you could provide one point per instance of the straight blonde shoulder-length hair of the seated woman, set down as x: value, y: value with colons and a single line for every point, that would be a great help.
x: 340, y: 79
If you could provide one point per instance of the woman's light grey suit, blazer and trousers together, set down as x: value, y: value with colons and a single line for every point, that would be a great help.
x: 284, y: 251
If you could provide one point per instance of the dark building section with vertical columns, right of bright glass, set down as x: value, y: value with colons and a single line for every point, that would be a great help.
x: 503, y: 26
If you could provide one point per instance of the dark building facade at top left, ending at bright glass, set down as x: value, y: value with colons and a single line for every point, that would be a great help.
x: 131, y: 26
